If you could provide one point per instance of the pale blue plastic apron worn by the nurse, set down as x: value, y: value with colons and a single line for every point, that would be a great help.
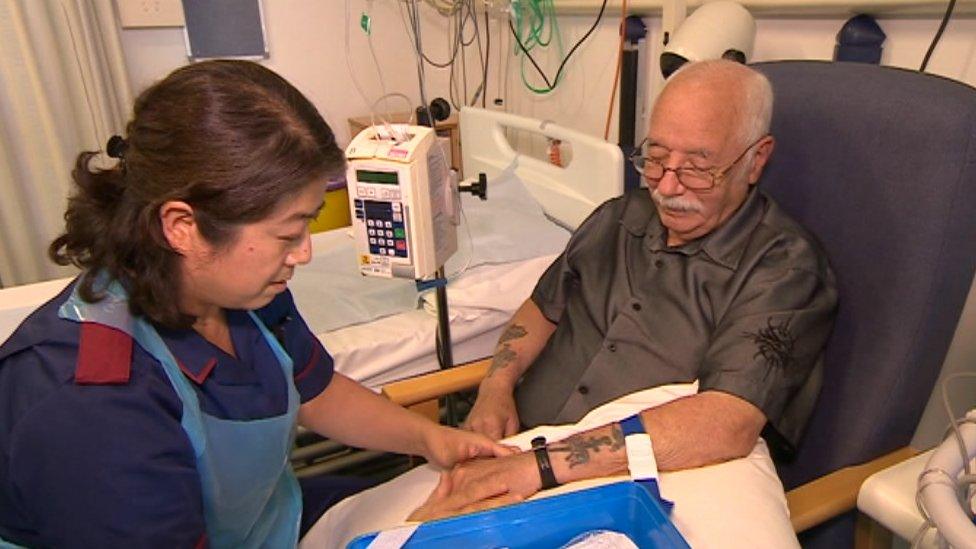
x: 250, y: 495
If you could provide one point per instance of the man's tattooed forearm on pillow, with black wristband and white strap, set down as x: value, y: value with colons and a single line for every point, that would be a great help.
x: 702, y: 429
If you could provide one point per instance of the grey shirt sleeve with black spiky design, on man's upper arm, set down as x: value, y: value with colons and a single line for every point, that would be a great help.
x: 769, y: 343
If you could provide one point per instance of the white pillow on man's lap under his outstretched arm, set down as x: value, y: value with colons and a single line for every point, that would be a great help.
x: 739, y: 503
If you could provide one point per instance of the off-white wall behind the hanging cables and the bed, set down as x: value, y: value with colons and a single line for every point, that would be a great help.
x: 306, y: 38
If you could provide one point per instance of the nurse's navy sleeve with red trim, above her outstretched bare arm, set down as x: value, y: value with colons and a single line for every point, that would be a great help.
x: 313, y: 365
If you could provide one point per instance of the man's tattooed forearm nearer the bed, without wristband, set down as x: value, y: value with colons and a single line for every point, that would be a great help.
x: 519, y: 345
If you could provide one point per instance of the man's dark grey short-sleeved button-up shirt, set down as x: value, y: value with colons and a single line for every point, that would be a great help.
x: 745, y: 310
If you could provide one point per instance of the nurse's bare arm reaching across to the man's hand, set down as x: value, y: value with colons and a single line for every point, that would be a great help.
x: 353, y: 415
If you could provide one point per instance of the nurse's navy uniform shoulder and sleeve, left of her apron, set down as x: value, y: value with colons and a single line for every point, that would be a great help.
x: 60, y: 439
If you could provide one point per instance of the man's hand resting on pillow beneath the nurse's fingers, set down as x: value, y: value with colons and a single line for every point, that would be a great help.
x: 447, y: 499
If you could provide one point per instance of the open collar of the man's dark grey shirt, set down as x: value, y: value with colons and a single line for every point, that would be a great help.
x: 725, y: 245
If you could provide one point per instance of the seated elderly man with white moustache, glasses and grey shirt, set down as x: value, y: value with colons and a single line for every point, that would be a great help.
x: 701, y: 276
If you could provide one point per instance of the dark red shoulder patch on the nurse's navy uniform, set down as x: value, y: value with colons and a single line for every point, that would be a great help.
x: 104, y: 355
